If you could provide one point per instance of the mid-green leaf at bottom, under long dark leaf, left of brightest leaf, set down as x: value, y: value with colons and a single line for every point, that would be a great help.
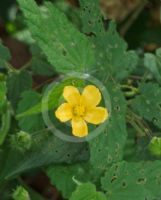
x: 62, y: 177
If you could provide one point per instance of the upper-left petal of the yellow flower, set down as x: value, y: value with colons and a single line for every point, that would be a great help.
x: 71, y: 95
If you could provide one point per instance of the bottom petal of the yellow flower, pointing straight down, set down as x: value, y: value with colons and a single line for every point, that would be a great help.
x: 79, y: 127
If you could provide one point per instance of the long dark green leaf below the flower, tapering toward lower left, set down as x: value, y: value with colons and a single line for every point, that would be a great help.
x: 46, y: 149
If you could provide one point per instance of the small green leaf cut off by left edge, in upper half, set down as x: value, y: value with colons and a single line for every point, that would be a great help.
x: 4, y: 55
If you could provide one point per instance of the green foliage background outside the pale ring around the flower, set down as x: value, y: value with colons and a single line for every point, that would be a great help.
x: 118, y: 42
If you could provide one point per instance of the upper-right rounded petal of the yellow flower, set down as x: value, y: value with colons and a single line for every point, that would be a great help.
x: 91, y: 96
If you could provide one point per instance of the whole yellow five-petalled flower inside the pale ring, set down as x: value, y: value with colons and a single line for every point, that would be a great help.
x: 81, y: 109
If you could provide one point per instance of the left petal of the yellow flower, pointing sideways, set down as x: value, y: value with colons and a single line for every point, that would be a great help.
x: 64, y: 112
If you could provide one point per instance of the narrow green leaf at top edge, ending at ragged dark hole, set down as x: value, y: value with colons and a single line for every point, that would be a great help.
x: 91, y: 17
